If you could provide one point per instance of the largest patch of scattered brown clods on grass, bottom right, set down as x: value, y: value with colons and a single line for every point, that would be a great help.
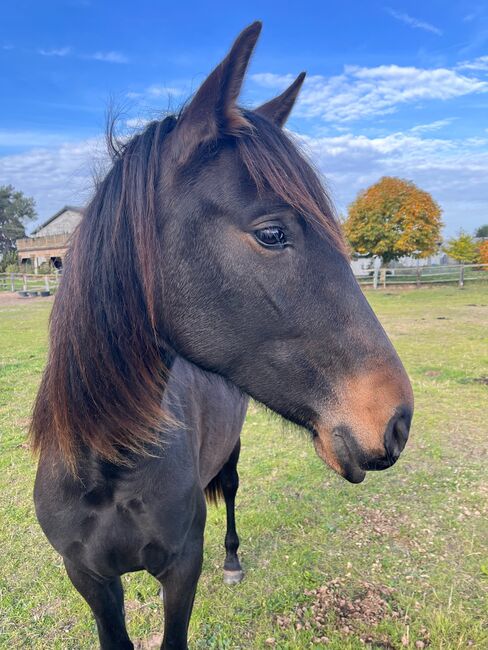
x: 332, y: 608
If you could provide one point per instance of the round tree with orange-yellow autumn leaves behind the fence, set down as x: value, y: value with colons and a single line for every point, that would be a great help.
x: 393, y: 218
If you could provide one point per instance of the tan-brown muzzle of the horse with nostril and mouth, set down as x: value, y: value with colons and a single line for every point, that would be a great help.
x: 352, y: 434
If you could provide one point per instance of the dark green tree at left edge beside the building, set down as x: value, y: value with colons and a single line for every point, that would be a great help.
x: 15, y: 210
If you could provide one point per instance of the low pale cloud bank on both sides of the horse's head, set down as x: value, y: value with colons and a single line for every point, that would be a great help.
x: 454, y: 171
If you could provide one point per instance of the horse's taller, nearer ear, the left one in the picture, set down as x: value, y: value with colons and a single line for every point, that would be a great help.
x: 213, y: 109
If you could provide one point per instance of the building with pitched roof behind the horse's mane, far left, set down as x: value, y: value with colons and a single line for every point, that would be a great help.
x: 48, y: 243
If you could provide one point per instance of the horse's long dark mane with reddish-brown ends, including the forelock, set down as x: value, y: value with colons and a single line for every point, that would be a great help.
x: 102, y: 387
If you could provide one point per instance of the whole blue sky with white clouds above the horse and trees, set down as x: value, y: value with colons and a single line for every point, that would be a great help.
x: 398, y: 88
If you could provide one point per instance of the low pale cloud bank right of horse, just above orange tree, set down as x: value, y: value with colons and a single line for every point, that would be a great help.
x: 454, y: 171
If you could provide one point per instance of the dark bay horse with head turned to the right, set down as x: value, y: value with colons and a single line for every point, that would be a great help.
x: 207, y: 267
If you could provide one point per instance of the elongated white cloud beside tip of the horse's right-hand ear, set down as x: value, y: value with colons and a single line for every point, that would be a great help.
x: 362, y: 92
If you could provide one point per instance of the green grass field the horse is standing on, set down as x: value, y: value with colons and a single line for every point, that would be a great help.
x: 398, y: 561
